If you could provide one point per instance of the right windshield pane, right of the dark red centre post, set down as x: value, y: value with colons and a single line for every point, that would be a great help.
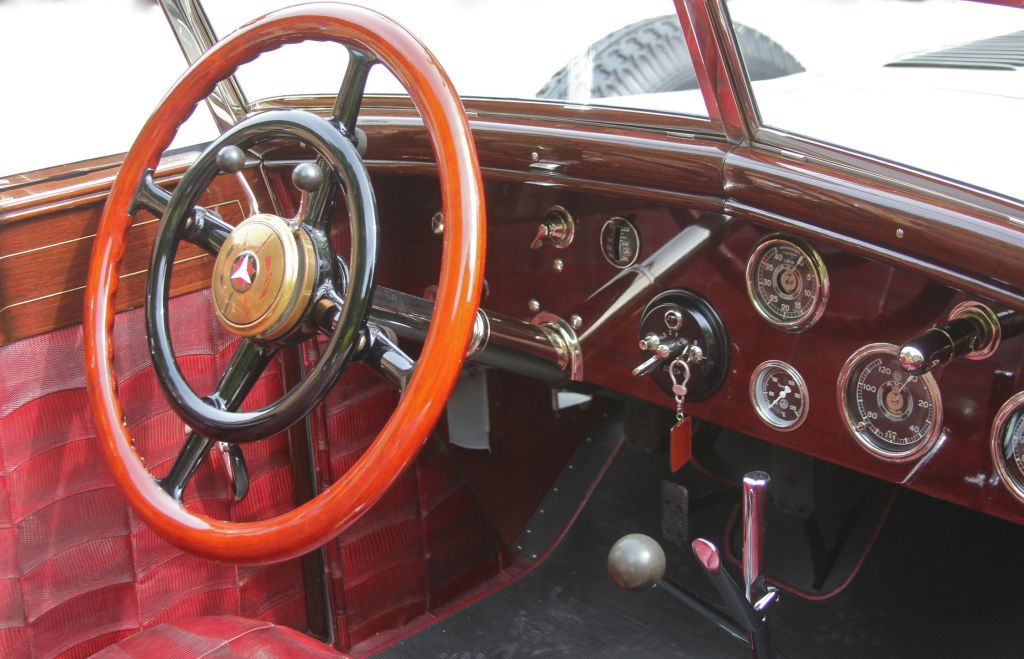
x: 934, y: 84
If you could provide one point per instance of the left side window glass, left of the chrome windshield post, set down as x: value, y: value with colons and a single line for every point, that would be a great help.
x: 80, y: 79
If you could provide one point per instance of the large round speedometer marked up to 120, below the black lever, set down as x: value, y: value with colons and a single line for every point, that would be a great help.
x: 893, y: 416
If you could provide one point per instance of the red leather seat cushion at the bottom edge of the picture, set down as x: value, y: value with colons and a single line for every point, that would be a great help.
x: 220, y: 637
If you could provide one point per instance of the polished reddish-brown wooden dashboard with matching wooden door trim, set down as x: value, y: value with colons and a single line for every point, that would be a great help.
x: 899, y: 258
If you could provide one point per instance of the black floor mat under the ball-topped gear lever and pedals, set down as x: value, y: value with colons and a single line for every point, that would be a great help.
x: 942, y: 583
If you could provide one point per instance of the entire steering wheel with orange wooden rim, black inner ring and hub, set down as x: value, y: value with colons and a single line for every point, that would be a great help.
x: 370, y: 38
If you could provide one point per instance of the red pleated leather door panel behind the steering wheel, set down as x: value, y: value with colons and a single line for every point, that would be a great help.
x: 78, y: 569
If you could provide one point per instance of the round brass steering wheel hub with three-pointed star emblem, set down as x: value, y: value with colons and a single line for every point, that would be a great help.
x: 264, y: 278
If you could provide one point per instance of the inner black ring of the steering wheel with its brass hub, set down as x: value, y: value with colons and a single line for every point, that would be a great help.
x: 269, y: 272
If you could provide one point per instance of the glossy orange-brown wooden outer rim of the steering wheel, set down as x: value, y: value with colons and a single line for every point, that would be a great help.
x: 316, y: 522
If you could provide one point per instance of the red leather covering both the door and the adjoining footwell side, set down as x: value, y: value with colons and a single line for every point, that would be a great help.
x: 80, y: 572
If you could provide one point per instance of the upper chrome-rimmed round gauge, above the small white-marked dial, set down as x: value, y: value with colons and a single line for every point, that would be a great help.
x: 788, y: 284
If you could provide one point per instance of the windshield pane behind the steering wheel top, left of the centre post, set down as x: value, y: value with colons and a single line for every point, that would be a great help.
x: 614, y: 55
